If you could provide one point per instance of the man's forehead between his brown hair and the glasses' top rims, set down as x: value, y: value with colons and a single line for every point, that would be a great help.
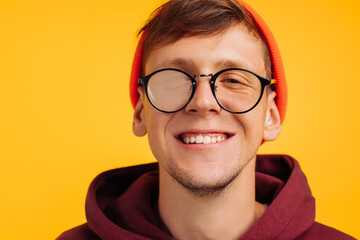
x: 235, y: 47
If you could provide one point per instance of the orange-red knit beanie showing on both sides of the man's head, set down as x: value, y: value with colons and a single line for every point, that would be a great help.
x: 277, y: 66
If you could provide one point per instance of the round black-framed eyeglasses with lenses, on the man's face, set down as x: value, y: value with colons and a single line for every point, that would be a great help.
x: 236, y: 90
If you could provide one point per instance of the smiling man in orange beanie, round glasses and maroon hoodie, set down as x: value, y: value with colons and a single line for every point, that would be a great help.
x: 208, y: 88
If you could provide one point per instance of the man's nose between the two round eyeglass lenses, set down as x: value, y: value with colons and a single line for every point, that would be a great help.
x: 203, y: 101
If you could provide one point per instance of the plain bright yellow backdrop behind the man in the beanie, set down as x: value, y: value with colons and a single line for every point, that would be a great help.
x: 65, y: 114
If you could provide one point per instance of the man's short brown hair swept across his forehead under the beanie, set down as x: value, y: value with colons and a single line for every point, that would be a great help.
x: 178, y: 18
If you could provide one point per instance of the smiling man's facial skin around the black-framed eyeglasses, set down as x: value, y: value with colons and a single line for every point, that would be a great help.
x: 205, y: 167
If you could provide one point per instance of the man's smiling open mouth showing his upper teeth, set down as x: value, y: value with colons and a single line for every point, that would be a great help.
x: 195, y: 138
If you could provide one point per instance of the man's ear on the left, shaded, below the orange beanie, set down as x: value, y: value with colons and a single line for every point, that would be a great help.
x: 139, y: 123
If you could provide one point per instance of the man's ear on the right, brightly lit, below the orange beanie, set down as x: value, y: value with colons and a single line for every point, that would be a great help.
x: 272, y: 120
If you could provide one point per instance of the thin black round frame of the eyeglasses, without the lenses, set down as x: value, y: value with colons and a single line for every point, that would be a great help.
x: 143, y: 81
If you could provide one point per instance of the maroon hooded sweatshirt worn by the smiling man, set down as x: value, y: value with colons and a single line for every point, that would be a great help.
x: 121, y: 204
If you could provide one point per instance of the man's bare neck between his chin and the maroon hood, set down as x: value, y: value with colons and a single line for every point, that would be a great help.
x: 225, y: 215
